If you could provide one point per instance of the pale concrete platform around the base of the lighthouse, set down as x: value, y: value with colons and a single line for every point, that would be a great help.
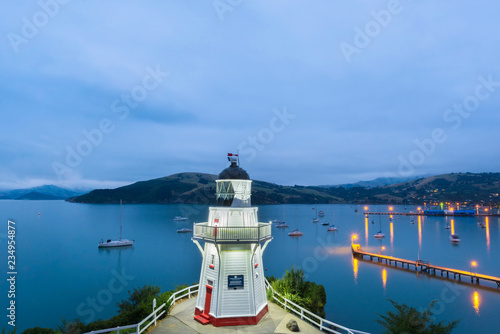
x: 181, y: 320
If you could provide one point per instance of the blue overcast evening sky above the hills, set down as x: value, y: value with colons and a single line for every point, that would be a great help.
x: 105, y: 93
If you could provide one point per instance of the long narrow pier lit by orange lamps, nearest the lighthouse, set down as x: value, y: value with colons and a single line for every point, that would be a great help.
x: 423, y: 266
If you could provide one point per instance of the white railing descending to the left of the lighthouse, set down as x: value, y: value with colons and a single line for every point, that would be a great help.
x: 191, y: 290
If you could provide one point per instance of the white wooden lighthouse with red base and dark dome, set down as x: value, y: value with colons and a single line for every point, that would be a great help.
x: 232, y: 287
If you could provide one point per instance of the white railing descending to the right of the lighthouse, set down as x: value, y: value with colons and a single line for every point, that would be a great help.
x: 322, y: 324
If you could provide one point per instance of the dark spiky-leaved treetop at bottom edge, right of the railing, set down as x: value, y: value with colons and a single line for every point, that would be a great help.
x: 409, y: 320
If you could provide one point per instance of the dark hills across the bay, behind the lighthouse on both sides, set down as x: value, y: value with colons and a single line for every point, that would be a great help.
x: 199, y: 188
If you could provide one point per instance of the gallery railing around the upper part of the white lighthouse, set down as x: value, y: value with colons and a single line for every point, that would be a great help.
x: 228, y: 234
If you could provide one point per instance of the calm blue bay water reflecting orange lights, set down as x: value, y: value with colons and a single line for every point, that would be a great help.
x: 62, y: 273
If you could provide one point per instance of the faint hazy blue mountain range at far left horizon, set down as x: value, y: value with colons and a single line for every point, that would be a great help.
x: 48, y: 192
